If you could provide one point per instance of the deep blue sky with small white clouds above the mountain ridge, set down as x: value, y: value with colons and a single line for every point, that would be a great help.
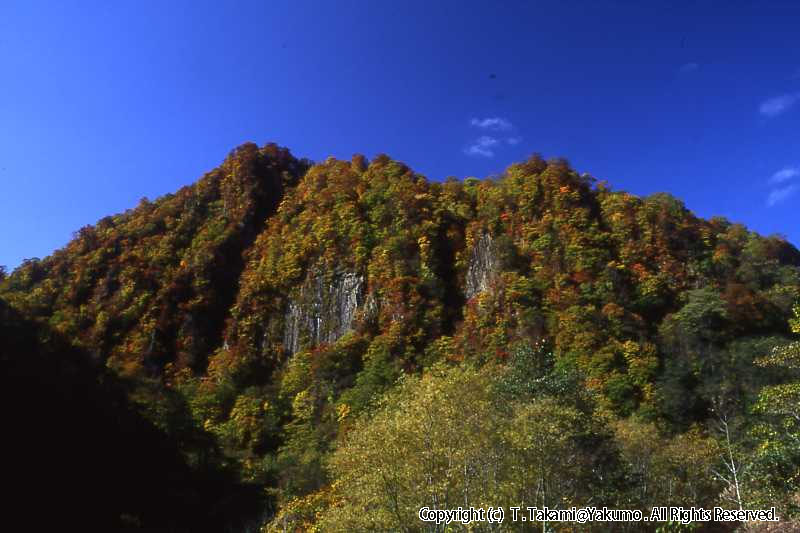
x: 102, y: 103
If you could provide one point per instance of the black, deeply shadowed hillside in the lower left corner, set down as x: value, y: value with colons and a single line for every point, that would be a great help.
x: 81, y: 455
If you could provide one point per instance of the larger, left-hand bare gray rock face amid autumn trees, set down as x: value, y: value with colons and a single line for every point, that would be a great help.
x: 324, y: 311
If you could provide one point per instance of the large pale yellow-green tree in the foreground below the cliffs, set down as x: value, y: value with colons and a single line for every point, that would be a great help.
x: 432, y: 443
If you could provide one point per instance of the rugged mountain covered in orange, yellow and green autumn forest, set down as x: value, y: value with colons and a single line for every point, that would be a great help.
x: 256, y: 320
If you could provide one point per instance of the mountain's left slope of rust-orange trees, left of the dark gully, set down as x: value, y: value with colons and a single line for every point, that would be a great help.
x: 152, y: 286
